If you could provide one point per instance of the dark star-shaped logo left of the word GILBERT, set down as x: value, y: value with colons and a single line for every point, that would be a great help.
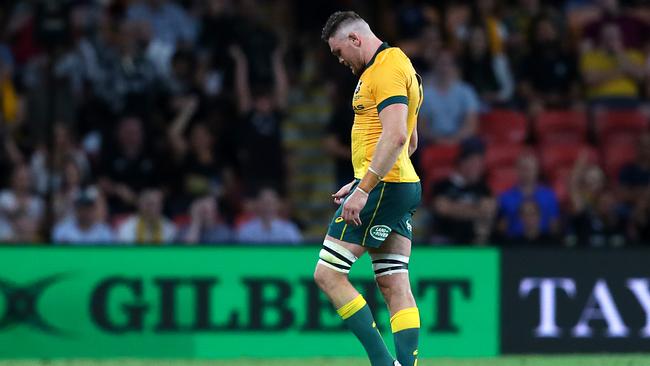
x: 22, y: 304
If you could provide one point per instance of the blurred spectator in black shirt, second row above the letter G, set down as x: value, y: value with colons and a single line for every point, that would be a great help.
x: 127, y: 166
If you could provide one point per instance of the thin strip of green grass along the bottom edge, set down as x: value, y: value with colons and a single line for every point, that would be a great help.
x: 594, y: 360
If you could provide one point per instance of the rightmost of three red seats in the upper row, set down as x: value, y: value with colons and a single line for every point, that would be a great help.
x: 620, y: 125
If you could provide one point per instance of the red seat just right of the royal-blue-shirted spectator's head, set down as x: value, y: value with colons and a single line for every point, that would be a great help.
x: 556, y: 158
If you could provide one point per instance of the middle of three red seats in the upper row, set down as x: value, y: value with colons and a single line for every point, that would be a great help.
x: 561, y: 127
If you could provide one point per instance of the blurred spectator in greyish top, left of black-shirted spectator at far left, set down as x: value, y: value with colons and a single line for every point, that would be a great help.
x: 65, y: 148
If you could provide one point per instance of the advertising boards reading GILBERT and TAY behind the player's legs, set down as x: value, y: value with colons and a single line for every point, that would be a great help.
x: 230, y: 302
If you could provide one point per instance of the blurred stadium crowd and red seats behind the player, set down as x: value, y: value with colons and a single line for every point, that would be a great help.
x: 160, y: 121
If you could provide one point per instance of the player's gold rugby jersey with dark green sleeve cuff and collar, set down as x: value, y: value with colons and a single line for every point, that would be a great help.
x: 389, y: 78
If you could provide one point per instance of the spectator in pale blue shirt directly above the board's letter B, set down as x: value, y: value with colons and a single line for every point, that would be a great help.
x: 267, y: 226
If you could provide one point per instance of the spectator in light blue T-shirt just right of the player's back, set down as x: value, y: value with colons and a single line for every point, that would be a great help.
x: 449, y: 112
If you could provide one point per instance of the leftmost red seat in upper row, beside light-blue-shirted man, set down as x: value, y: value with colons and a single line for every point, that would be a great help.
x: 502, y: 126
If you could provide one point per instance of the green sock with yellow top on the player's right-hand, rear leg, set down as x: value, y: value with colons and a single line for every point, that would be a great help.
x: 405, y: 325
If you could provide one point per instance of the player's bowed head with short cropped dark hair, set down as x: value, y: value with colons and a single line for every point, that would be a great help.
x: 346, y: 32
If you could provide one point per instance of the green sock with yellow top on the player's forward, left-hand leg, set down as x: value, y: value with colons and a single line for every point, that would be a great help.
x: 358, y: 318
